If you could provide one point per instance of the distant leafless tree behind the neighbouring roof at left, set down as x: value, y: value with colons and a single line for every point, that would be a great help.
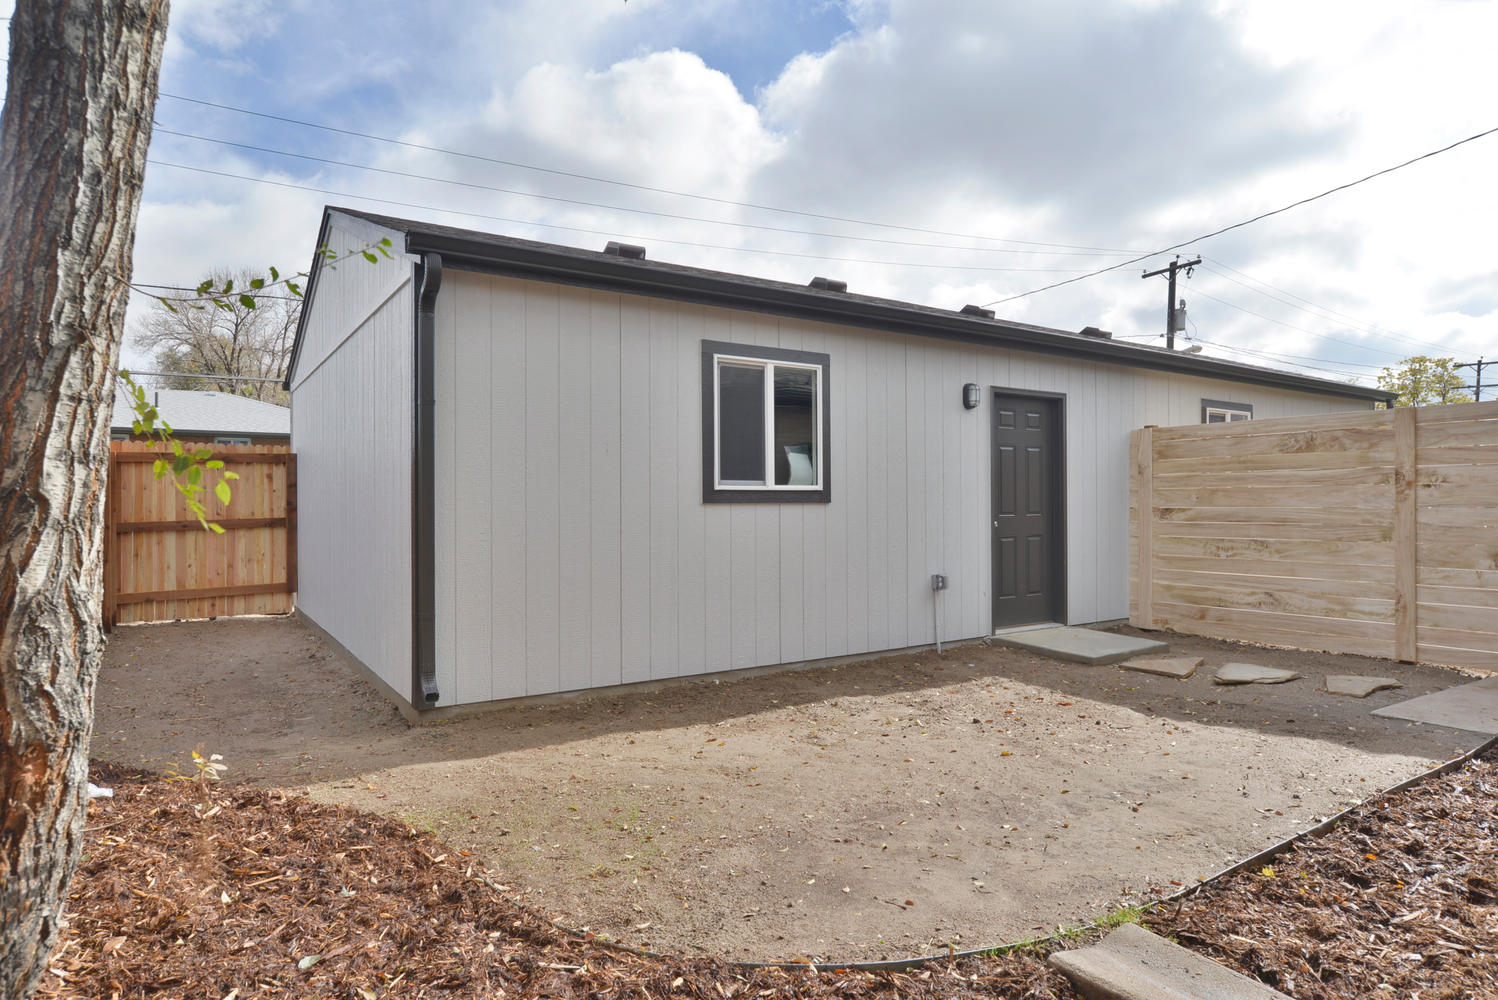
x: 222, y: 338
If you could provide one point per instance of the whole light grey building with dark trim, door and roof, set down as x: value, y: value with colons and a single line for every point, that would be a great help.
x: 528, y: 469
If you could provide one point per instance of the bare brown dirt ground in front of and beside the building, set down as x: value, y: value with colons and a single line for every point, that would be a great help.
x: 873, y: 811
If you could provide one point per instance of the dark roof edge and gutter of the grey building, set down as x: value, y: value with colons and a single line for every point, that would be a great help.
x: 551, y: 263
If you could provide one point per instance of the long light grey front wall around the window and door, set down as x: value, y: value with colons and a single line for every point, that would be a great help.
x: 574, y: 549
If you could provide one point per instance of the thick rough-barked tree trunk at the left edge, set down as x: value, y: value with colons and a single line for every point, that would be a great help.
x: 73, y: 155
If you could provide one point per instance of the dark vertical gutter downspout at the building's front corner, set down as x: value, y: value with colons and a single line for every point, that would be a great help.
x: 423, y: 495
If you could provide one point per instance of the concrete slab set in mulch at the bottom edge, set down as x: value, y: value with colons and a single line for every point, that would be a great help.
x: 1135, y: 965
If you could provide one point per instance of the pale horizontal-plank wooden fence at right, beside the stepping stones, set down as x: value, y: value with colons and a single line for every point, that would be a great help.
x: 1368, y: 532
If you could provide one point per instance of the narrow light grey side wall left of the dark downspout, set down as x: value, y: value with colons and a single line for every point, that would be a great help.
x: 353, y: 441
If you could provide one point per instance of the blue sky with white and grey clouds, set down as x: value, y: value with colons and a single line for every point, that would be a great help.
x: 938, y: 152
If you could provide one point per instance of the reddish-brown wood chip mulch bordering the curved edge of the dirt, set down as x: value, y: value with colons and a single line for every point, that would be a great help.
x: 243, y: 893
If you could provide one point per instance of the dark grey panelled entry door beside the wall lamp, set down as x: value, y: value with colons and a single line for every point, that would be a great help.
x: 1028, y: 531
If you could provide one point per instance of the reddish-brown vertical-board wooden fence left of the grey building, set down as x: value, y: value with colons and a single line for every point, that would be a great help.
x: 160, y: 561
